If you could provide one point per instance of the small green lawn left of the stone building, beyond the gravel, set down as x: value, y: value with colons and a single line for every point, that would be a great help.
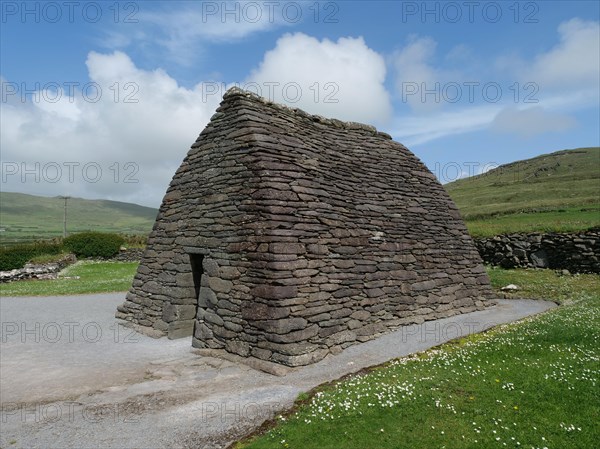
x: 80, y: 278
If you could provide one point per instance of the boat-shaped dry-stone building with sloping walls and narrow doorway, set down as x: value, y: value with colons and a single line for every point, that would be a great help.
x: 285, y: 236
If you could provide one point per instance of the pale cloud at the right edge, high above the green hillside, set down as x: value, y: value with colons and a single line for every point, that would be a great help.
x: 574, y: 62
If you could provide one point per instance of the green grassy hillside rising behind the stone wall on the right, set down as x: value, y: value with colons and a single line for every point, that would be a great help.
x: 552, y: 192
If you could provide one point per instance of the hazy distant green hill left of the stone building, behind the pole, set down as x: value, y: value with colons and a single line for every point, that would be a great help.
x: 29, y: 217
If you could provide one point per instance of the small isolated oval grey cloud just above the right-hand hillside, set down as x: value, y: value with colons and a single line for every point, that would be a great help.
x: 531, y: 121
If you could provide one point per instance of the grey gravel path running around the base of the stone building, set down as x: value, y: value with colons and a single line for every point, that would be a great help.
x: 71, y: 377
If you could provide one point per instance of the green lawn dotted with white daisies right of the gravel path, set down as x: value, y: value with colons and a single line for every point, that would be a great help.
x: 529, y: 384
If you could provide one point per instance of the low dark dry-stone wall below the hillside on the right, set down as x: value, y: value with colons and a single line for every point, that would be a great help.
x: 577, y: 252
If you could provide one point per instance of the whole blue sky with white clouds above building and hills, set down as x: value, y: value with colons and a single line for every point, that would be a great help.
x: 102, y: 100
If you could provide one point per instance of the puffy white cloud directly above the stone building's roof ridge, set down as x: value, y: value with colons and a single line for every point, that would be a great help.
x: 343, y: 79
